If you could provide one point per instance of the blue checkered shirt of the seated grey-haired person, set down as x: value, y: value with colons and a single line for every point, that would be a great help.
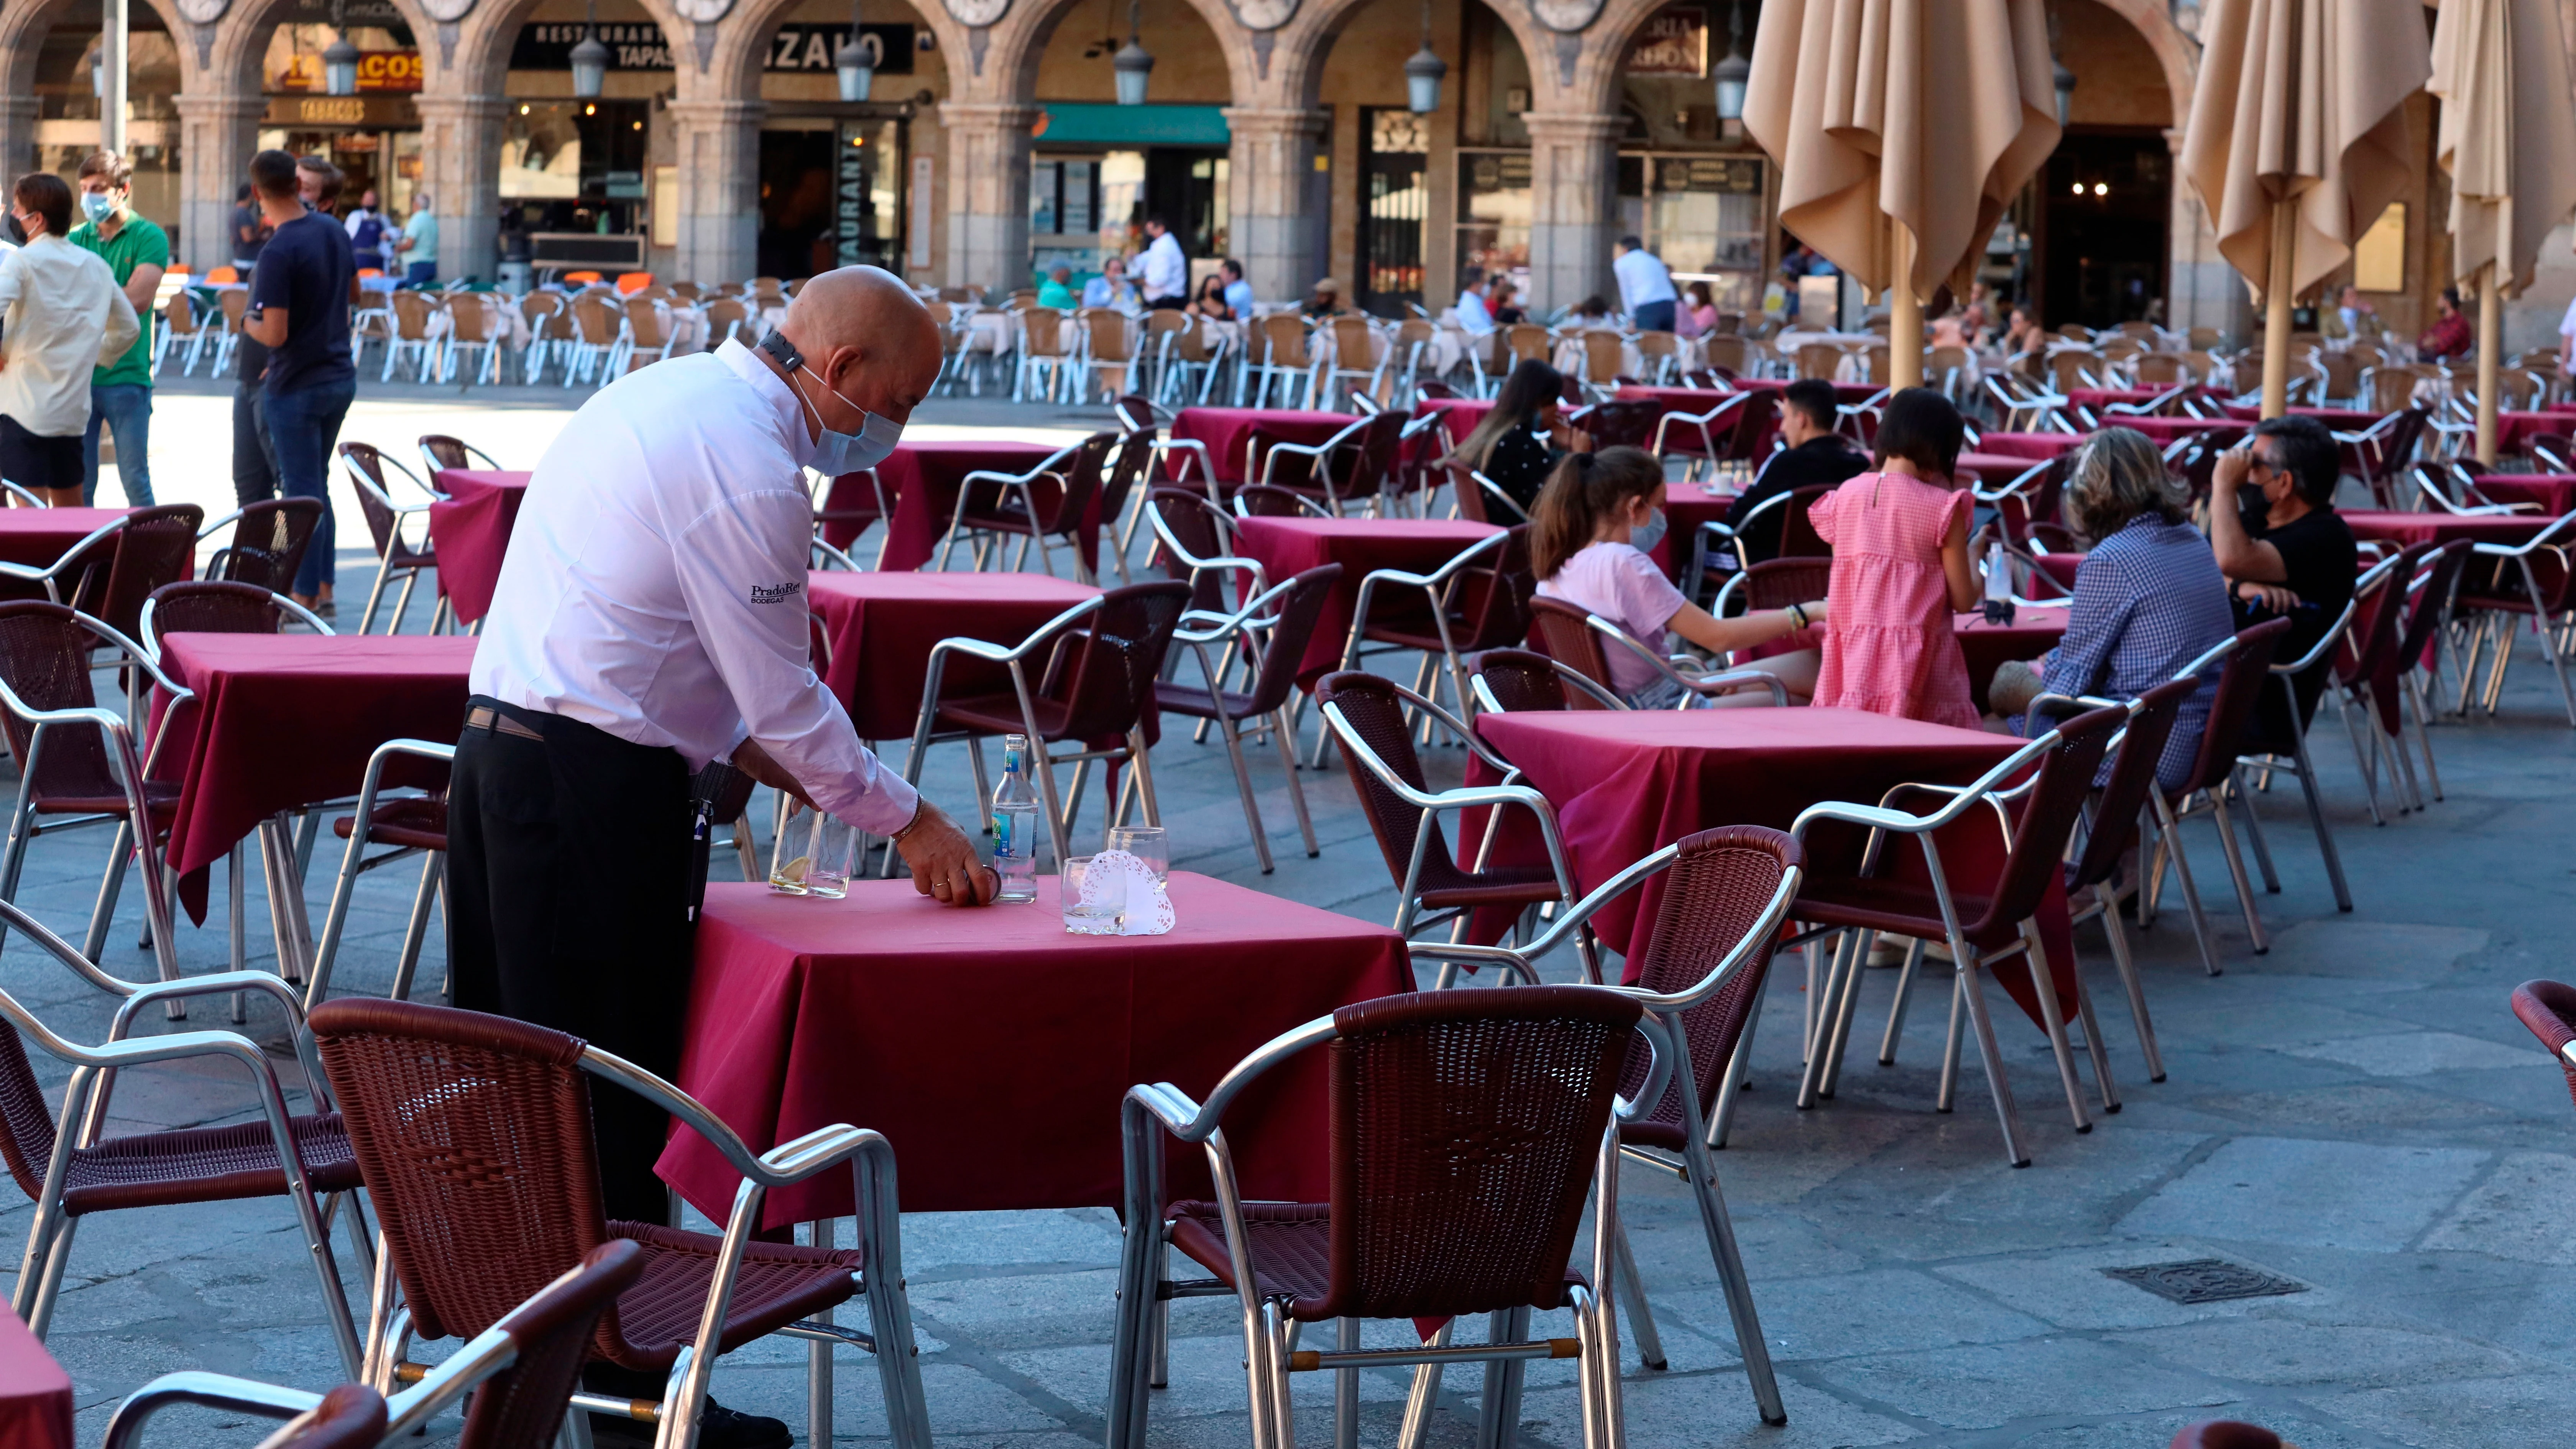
x: 2150, y: 599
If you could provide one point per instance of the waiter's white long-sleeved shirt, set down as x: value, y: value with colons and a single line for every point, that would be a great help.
x: 658, y: 584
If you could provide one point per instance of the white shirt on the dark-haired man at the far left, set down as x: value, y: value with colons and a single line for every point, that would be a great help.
x: 61, y: 318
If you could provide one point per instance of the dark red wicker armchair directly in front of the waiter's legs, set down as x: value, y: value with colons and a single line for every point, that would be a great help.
x: 426, y: 1087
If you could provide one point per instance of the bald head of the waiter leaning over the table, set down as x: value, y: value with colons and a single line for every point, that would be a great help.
x: 869, y: 339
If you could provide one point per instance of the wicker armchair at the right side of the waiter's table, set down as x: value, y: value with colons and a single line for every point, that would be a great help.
x: 1727, y: 896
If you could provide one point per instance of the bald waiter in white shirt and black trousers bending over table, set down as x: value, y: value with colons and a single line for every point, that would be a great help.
x: 653, y: 618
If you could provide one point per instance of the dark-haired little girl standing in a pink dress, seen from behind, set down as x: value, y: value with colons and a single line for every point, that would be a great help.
x: 1902, y: 569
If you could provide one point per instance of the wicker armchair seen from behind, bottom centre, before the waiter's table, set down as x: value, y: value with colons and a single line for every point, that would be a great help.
x: 1467, y: 1133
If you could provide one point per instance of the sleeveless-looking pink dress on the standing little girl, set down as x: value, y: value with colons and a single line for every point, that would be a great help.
x: 1889, y: 646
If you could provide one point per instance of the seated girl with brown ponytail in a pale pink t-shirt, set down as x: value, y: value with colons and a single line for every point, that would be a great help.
x: 1588, y: 545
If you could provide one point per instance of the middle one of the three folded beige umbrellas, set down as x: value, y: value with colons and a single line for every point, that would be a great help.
x: 2299, y: 141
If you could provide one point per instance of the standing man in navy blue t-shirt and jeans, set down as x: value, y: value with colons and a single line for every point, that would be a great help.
x: 300, y: 313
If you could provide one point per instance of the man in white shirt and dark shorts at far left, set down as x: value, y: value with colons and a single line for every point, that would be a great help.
x: 61, y: 318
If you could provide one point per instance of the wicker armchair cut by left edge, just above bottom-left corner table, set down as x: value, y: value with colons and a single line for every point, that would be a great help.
x: 63, y: 1162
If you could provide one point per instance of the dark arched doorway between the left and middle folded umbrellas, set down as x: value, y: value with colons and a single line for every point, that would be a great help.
x: 2106, y: 208
